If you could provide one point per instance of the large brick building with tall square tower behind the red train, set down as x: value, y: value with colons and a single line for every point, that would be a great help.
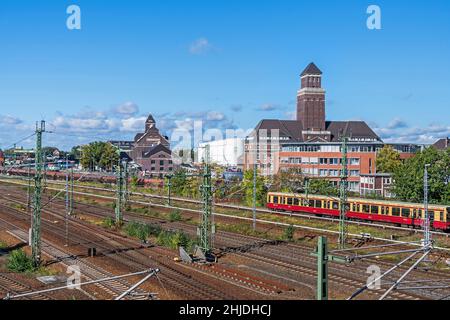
x: 312, y: 144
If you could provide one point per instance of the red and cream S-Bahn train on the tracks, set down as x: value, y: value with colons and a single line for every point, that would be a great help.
x: 391, y: 212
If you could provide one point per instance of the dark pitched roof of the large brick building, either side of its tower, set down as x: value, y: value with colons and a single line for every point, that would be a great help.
x: 292, y: 129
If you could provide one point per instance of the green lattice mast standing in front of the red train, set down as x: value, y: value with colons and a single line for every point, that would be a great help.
x: 343, y: 231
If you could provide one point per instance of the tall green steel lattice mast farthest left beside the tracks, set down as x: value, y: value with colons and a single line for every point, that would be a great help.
x: 37, y: 205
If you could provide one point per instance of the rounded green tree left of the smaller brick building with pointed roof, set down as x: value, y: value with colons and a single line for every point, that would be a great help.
x: 99, y: 154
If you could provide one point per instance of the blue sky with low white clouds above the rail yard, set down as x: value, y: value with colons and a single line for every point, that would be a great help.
x: 229, y: 63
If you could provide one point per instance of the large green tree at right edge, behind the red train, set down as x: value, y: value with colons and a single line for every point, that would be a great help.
x: 408, y: 179
